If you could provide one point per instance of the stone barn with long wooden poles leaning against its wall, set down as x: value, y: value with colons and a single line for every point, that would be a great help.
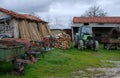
x: 24, y: 26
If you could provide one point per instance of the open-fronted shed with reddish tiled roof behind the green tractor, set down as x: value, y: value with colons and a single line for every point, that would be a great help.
x: 101, y: 26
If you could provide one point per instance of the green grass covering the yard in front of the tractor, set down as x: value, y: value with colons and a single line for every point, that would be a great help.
x: 61, y: 63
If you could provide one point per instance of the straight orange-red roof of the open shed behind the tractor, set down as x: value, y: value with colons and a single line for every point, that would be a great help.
x: 96, y: 20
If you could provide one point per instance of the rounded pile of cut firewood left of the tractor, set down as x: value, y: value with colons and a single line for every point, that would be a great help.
x: 63, y: 41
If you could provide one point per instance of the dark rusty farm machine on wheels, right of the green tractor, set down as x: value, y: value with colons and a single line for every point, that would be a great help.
x: 113, y: 39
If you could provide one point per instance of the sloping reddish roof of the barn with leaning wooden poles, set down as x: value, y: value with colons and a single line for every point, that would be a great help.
x: 21, y: 16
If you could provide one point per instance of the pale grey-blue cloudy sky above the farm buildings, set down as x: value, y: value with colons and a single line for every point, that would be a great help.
x: 59, y: 13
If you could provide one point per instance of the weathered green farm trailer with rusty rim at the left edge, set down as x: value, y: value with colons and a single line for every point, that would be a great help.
x: 10, y: 52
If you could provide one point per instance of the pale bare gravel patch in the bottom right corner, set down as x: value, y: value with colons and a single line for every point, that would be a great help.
x: 108, y: 72
